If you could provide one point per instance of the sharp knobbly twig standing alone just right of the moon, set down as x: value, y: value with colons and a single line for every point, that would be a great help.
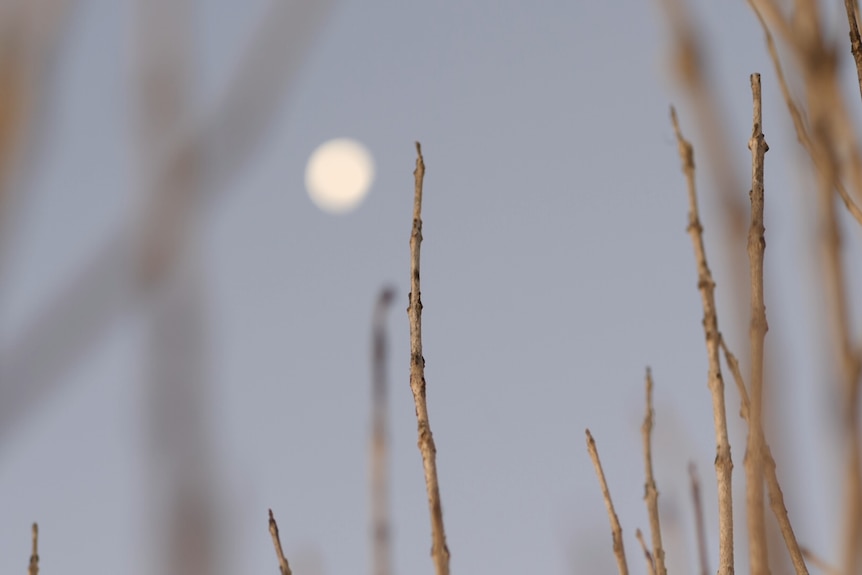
x: 439, y: 550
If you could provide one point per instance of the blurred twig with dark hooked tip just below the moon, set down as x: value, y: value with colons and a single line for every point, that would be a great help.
x: 379, y: 440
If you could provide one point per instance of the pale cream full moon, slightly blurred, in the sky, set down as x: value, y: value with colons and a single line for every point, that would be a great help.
x: 338, y: 175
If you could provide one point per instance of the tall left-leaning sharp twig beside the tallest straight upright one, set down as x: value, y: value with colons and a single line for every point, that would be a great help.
x: 706, y: 286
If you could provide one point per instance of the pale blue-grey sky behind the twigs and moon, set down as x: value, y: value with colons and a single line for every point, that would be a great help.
x: 555, y: 268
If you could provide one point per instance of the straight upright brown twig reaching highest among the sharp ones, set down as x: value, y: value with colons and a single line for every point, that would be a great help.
x: 758, y: 559
